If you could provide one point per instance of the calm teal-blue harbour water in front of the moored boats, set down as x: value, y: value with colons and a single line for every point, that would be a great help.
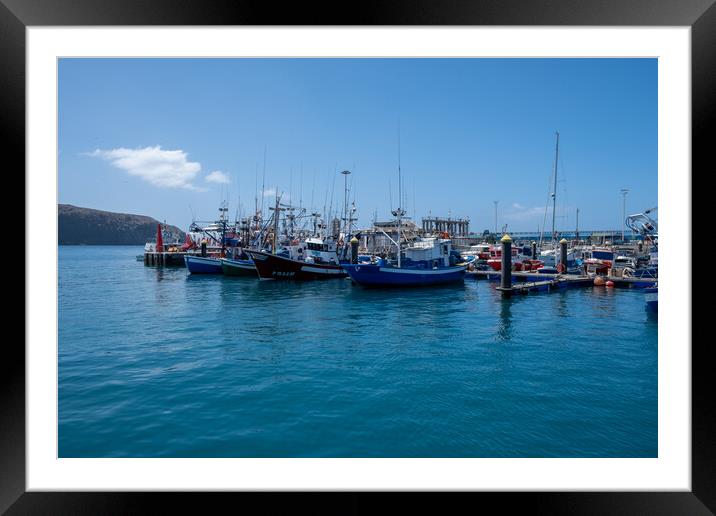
x: 155, y: 362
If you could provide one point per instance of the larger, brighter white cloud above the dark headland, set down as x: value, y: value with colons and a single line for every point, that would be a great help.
x: 159, y: 167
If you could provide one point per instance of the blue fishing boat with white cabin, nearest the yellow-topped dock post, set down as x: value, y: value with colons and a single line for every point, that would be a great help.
x: 426, y: 263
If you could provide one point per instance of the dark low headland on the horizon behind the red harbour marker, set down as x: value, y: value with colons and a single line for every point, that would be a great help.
x: 96, y: 227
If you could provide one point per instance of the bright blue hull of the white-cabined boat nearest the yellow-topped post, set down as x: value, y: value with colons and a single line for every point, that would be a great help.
x: 377, y: 276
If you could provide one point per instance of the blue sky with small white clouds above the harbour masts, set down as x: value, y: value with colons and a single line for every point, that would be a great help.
x: 172, y: 137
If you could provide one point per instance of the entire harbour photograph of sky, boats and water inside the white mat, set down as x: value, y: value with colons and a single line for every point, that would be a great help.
x: 348, y: 258
